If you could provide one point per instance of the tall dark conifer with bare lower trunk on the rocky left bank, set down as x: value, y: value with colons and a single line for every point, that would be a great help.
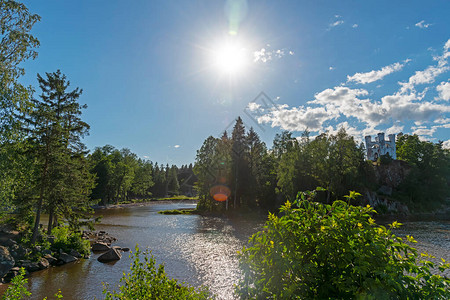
x: 55, y: 130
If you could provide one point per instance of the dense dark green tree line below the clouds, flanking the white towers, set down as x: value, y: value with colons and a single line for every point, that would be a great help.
x: 251, y: 175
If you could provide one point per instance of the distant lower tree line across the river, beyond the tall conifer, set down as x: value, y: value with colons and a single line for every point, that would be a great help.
x: 122, y: 176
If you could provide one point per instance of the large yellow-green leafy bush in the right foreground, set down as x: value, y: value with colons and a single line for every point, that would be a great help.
x: 317, y: 251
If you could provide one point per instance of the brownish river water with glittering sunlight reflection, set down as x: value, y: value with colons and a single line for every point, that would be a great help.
x: 194, y: 249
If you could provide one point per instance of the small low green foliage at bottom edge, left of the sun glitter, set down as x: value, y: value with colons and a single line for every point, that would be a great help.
x: 146, y: 281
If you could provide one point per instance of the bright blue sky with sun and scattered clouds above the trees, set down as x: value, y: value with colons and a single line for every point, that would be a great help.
x: 159, y: 77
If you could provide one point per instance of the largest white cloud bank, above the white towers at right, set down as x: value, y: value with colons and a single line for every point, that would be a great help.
x: 392, y: 113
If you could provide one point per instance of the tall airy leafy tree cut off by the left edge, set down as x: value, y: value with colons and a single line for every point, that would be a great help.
x: 16, y: 46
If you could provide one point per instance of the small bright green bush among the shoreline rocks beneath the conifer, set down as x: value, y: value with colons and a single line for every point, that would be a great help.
x: 66, y: 240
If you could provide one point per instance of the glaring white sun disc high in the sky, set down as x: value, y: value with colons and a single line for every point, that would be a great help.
x: 230, y: 58
